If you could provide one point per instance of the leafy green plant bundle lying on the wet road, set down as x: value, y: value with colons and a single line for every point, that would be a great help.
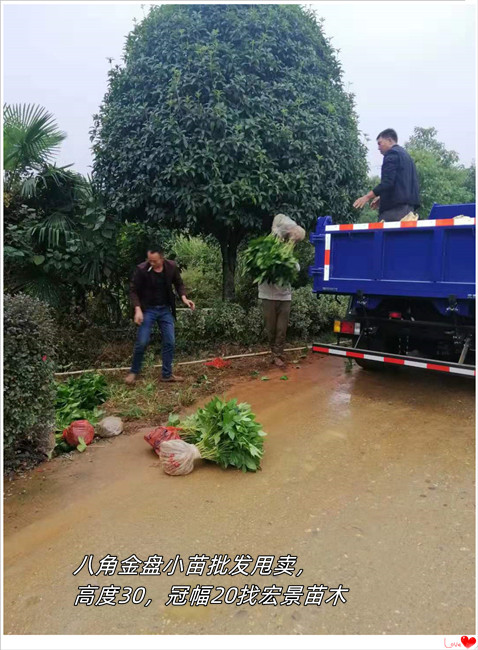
x: 226, y: 433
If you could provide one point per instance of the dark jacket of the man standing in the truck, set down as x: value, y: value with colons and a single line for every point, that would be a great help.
x: 399, y: 181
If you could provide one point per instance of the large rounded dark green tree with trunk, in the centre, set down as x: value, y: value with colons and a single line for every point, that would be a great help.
x: 223, y: 115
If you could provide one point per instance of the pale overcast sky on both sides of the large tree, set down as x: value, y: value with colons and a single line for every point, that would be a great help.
x: 408, y: 63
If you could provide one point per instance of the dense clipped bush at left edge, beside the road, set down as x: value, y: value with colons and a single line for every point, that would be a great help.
x: 29, y: 391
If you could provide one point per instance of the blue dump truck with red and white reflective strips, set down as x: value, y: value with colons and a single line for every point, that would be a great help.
x: 411, y: 286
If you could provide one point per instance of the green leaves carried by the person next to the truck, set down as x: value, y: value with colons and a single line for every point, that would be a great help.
x: 269, y: 259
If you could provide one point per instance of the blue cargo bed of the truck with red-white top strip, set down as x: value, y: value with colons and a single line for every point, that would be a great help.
x: 433, y: 258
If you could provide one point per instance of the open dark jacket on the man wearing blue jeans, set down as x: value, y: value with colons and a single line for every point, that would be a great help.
x: 142, y: 287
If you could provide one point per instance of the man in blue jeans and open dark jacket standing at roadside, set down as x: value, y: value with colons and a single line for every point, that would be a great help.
x: 151, y: 292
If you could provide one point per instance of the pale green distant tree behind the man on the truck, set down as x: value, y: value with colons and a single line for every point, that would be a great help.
x: 442, y: 178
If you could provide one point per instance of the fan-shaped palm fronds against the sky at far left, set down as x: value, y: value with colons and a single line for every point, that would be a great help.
x: 31, y: 140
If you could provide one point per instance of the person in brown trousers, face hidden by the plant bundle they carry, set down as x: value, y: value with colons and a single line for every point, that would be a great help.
x: 277, y: 296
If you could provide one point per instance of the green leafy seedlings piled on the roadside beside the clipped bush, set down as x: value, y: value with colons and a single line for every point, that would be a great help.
x: 78, y: 398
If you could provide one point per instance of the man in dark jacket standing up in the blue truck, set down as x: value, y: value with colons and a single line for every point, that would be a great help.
x: 397, y: 193
